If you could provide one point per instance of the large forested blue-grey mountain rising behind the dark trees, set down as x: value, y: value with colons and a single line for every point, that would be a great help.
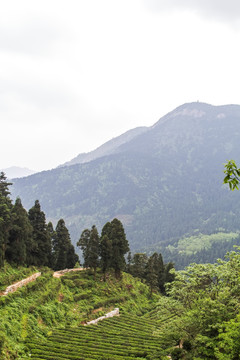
x: 164, y: 184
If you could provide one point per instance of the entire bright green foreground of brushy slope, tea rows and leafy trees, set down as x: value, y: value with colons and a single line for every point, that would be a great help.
x: 198, y: 318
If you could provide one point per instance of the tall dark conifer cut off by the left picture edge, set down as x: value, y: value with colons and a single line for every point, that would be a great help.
x: 5, y: 215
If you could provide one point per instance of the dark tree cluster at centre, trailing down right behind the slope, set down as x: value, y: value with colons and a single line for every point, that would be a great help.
x: 110, y: 250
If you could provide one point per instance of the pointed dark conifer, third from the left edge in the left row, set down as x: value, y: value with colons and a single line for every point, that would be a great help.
x: 38, y: 254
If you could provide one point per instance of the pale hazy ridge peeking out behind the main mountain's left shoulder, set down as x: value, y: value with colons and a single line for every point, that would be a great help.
x: 108, y: 148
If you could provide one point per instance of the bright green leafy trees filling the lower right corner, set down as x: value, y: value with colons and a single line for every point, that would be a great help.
x: 201, y: 311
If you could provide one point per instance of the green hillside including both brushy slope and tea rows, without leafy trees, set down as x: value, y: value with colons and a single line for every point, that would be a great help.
x: 35, y: 310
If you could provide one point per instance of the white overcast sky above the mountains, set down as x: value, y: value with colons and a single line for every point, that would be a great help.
x: 76, y: 73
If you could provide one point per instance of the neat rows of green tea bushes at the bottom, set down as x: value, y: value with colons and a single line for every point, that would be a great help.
x: 120, y: 338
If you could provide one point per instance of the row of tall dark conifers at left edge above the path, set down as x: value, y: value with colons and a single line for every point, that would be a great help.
x: 26, y: 239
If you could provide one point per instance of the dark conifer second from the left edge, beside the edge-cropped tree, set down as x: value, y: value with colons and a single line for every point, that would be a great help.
x: 20, y: 235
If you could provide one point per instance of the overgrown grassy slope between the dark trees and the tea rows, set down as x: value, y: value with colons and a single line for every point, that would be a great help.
x: 71, y: 300
